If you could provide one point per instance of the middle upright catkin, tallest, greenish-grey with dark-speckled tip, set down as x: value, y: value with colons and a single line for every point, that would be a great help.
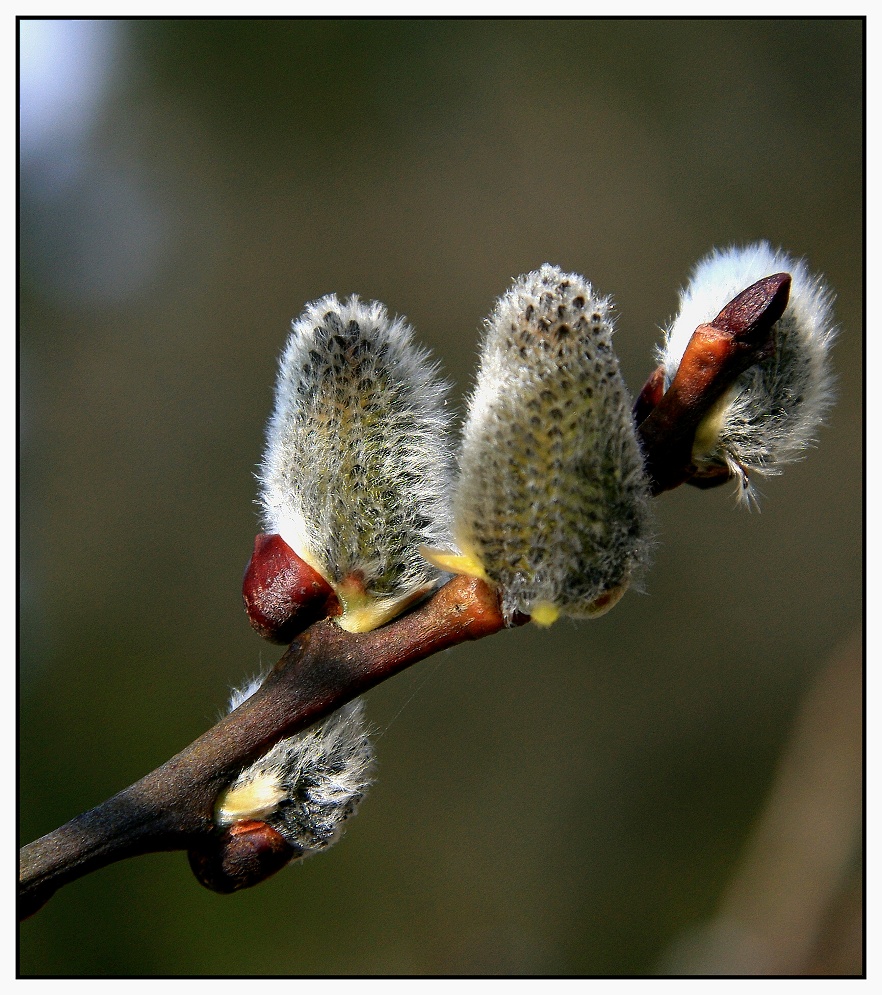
x: 552, y: 498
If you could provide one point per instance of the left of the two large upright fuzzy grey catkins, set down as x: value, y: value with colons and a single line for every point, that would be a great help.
x: 357, y: 467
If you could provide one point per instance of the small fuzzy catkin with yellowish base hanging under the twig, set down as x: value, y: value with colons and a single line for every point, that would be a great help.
x: 307, y: 785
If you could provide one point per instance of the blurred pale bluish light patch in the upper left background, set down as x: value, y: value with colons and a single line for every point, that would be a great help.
x: 91, y: 232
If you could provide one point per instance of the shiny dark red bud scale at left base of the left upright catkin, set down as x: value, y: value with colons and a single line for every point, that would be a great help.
x: 283, y: 595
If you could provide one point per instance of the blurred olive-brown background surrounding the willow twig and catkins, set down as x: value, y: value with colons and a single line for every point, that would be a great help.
x: 577, y: 800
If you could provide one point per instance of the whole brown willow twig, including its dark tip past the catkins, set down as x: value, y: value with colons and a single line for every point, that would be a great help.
x: 325, y: 667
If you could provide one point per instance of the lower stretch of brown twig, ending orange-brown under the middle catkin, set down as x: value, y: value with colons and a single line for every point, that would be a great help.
x: 171, y: 808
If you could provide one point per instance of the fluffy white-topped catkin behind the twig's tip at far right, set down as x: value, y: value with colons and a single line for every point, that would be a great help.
x: 771, y: 414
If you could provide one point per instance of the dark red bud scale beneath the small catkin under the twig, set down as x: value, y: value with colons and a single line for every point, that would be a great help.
x: 244, y: 855
